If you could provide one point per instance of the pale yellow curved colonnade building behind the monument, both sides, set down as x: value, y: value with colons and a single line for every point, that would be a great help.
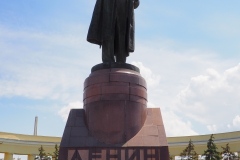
x: 11, y: 143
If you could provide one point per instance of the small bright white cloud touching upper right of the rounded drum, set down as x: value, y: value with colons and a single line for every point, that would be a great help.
x: 151, y: 78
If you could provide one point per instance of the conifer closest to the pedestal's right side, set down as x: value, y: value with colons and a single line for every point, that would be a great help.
x: 189, y: 153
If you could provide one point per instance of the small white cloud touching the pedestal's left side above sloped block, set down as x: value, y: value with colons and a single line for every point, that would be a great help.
x: 64, y: 112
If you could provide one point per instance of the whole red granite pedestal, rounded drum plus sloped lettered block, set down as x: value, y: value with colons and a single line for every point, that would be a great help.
x: 115, y: 123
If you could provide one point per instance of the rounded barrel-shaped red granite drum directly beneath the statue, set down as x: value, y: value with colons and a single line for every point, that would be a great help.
x: 115, y: 104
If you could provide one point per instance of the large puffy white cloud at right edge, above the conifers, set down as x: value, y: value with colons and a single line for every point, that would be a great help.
x: 214, y: 96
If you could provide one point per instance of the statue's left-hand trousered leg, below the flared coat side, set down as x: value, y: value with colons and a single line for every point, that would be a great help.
x: 108, y: 50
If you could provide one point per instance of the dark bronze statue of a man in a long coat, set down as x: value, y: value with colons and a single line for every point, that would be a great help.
x: 112, y: 27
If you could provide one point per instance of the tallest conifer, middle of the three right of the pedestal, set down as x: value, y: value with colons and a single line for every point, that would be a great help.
x: 211, y: 152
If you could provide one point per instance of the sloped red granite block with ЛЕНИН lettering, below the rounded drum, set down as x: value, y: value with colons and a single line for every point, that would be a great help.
x: 149, y: 143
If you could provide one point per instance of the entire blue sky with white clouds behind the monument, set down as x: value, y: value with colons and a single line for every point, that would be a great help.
x: 188, y: 52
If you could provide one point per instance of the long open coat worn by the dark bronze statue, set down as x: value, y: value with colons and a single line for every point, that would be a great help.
x: 103, y: 22
